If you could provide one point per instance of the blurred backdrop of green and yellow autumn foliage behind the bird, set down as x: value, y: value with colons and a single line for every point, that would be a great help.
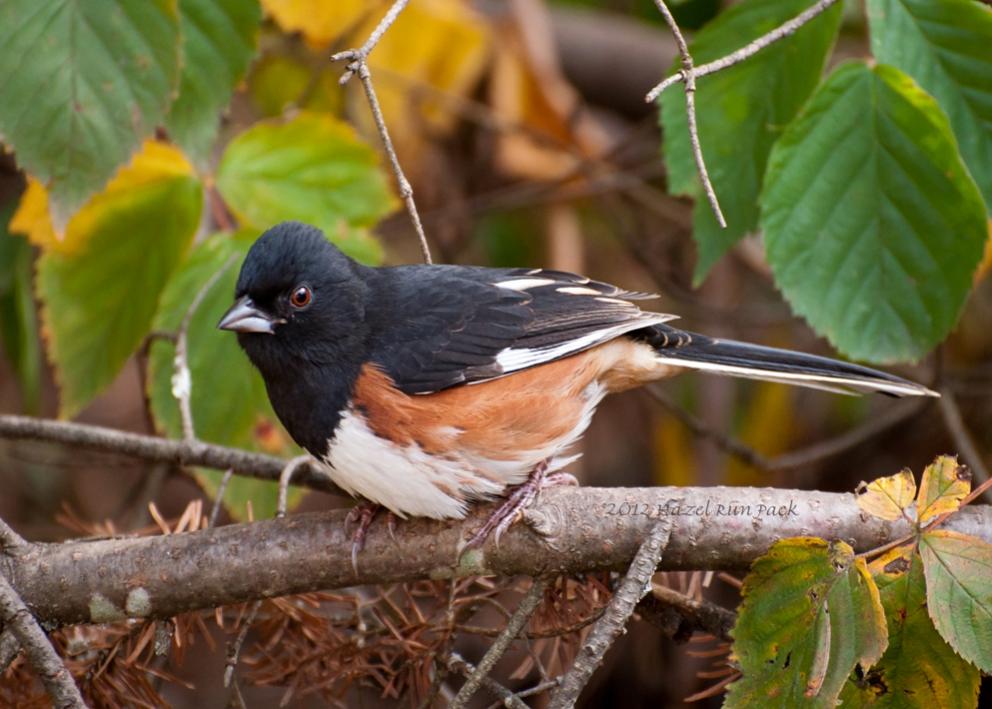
x: 150, y: 142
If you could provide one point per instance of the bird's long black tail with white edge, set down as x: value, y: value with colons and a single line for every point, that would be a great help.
x: 740, y: 359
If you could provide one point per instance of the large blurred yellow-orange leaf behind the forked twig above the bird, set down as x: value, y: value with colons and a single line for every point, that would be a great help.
x: 436, y: 48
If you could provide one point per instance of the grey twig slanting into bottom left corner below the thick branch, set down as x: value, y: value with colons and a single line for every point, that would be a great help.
x: 39, y: 650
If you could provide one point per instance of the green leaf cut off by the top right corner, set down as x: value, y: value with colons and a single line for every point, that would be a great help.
x: 945, y: 47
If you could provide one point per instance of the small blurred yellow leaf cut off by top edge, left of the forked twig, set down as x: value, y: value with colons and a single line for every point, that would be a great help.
x: 320, y: 21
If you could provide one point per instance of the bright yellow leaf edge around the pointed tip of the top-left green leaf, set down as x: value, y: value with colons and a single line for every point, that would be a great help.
x: 155, y: 162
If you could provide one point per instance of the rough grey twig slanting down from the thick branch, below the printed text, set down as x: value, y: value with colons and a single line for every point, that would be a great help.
x: 602, y: 636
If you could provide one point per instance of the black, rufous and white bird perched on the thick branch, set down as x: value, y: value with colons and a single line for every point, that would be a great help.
x: 426, y: 389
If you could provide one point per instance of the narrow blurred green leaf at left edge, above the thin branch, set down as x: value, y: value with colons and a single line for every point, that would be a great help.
x: 18, y: 324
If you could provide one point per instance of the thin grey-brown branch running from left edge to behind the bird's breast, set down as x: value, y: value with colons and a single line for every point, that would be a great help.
x: 153, y: 448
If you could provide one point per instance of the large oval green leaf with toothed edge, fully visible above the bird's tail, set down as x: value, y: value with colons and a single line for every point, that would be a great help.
x: 873, y: 226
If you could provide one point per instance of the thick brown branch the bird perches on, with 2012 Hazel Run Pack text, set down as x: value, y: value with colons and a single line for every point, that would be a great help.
x: 589, y: 528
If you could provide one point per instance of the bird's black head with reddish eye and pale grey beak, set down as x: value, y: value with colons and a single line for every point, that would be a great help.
x: 300, y: 301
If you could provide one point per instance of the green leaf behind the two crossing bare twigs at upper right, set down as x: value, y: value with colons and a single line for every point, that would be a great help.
x: 741, y: 111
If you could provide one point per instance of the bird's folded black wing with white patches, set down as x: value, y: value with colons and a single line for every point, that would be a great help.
x: 439, y: 326
